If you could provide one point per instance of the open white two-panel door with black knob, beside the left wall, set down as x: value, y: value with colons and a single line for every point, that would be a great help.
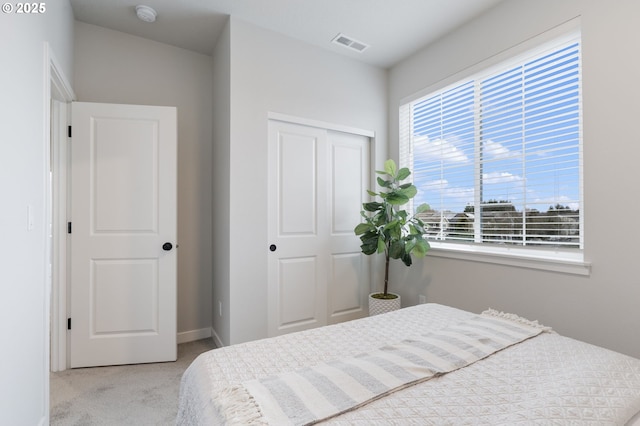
x: 123, y: 240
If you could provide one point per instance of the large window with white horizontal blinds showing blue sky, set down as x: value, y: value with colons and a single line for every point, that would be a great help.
x: 498, y: 156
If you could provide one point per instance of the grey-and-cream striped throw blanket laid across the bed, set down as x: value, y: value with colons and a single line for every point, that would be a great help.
x: 317, y: 393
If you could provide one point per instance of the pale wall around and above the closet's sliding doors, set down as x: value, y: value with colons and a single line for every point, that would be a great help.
x: 273, y: 73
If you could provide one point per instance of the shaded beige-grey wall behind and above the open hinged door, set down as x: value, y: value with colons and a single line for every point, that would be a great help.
x: 114, y: 67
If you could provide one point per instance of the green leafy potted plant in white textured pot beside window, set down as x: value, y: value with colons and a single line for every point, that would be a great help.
x: 390, y: 230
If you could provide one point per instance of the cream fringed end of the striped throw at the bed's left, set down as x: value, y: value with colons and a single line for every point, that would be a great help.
x: 238, y: 407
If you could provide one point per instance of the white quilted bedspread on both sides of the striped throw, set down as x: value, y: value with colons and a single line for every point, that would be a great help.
x: 547, y: 379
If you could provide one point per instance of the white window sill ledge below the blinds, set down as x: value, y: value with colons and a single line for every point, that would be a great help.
x: 556, y: 261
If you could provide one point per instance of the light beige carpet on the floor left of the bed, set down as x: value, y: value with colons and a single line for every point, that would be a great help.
x: 144, y: 394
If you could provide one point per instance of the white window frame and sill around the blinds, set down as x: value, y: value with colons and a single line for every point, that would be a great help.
x: 564, y: 260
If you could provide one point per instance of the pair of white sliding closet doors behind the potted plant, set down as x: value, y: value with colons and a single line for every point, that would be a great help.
x: 317, y: 183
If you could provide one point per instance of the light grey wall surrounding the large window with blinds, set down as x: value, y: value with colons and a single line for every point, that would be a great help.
x: 603, y: 307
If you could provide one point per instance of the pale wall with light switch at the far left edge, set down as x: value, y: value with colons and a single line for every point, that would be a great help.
x: 25, y: 293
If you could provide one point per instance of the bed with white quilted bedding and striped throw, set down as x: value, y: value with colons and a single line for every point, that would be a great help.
x: 544, y: 378
